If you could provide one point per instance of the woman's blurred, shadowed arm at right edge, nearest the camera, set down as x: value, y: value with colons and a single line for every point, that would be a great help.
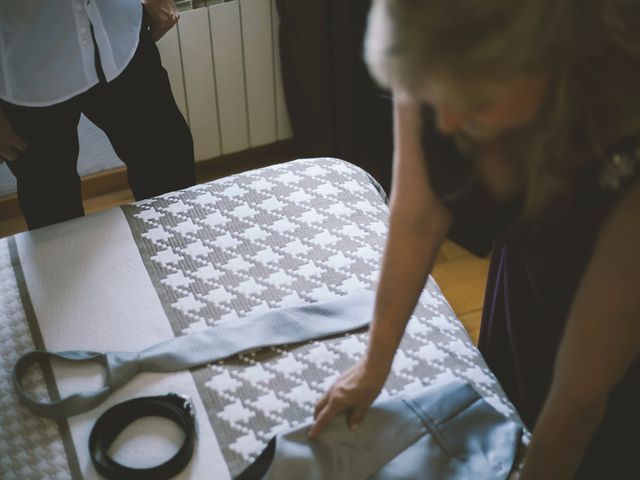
x: 601, y: 341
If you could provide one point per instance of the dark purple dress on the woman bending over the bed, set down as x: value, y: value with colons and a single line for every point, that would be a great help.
x: 533, y: 276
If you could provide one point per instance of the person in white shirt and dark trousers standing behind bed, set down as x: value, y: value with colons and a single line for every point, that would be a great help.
x: 61, y: 59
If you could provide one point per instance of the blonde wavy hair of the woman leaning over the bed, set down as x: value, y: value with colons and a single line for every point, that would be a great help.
x: 591, y: 49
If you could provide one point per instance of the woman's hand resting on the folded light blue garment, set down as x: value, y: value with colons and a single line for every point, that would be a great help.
x: 354, y: 391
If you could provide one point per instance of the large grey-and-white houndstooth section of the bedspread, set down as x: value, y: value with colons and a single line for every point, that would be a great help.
x: 295, y: 233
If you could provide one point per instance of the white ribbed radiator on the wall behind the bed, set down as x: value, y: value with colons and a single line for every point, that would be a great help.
x: 224, y: 66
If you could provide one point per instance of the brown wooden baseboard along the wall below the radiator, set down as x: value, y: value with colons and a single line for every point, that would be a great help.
x: 116, y: 179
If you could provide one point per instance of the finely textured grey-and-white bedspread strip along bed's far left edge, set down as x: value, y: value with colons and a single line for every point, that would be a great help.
x: 30, y: 447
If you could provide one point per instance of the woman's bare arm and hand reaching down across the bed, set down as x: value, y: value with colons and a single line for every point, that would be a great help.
x: 418, y: 223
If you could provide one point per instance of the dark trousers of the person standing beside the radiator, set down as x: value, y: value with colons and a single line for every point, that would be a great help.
x: 140, y: 117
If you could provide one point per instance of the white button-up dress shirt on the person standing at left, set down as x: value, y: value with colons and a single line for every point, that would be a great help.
x: 47, y: 53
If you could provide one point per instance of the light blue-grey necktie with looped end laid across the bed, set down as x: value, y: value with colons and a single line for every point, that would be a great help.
x: 277, y: 327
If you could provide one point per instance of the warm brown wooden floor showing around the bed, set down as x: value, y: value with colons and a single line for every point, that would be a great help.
x: 460, y: 275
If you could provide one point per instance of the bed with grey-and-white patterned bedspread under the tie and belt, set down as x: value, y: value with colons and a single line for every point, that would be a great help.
x: 122, y: 280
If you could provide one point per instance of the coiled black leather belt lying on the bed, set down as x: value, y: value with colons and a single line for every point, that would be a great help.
x: 111, y: 423
